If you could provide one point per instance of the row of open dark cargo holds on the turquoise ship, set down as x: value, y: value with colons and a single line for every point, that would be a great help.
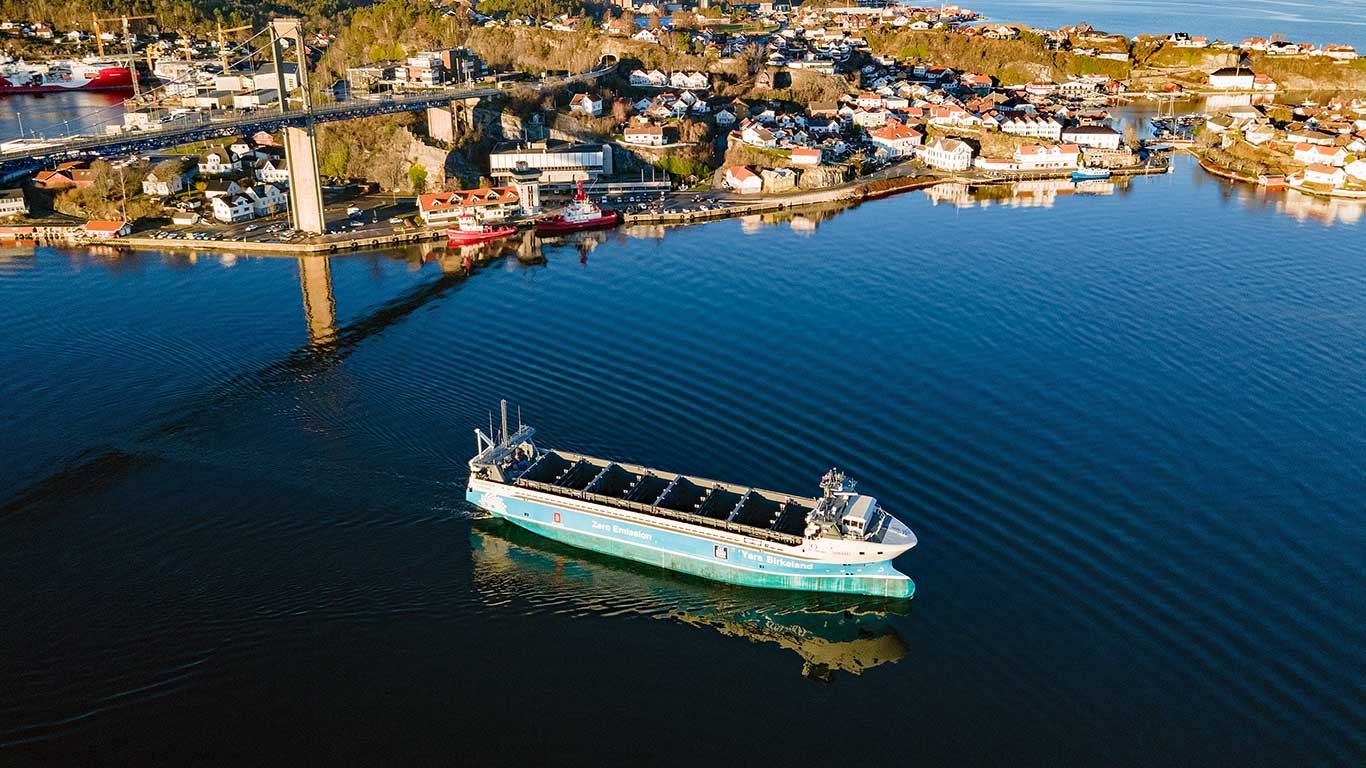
x: 738, y: 509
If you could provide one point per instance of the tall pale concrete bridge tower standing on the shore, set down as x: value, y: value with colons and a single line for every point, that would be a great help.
x: 301, y: 150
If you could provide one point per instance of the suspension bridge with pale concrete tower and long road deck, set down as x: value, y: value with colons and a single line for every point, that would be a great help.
x: 294, y: 114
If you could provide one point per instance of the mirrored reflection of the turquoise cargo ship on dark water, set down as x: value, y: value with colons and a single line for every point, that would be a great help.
x: 830, y: 633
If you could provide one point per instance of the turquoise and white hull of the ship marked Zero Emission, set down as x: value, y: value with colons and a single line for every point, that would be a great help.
x: 697, y: 554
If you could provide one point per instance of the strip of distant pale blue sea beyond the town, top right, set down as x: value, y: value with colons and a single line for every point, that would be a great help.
x: 1305, y: 21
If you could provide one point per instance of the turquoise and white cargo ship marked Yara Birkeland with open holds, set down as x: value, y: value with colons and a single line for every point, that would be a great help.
x: 839, y: 542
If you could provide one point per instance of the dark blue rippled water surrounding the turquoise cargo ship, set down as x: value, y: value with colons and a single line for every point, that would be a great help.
x: 1128, y: 428
